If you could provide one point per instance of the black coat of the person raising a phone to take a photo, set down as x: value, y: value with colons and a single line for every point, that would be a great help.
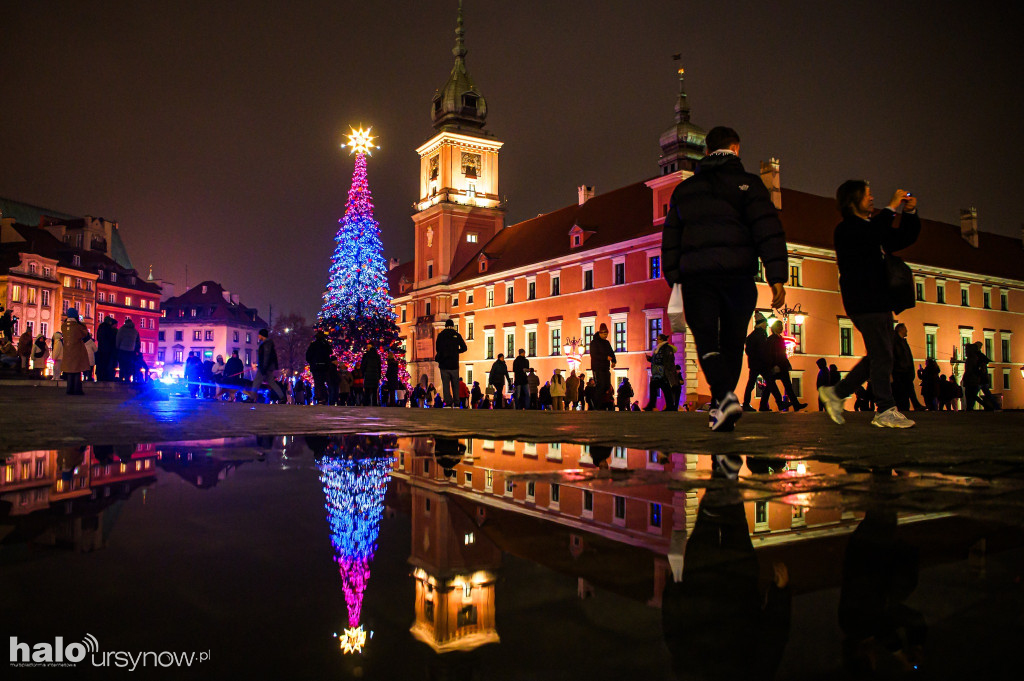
x: 860, y: 246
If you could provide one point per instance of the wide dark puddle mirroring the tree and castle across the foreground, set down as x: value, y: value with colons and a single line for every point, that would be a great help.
x: 363, y: 557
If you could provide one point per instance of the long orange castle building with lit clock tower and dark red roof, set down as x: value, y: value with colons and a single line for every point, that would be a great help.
x: 541, y: 283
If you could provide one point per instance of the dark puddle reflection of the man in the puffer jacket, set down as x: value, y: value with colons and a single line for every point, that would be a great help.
x: 716, y: 623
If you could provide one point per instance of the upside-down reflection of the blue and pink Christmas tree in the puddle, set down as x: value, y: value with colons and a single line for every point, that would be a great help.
x: 354, y: 489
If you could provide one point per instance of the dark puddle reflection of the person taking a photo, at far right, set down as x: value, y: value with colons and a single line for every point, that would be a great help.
x: 880, y: 573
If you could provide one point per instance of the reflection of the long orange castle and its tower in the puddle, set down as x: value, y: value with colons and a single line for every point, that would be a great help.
x: 625, y: 530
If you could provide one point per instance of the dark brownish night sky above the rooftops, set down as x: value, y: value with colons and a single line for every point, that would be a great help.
x: 210, y: 131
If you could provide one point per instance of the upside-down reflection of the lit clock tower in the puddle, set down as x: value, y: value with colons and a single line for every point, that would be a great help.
x: 455, y: 566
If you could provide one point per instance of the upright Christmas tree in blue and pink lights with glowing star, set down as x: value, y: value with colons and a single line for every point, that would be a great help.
x: 357, y: 307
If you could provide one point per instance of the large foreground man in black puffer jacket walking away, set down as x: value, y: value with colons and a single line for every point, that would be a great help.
x: 720, y: 223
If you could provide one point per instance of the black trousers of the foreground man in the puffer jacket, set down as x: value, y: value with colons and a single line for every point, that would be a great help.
x: 718, y: 312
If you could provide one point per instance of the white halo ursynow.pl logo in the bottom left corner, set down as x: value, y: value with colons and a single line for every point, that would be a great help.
x: 60, y: 655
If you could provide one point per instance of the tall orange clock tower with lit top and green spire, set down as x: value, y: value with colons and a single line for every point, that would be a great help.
x: 459, y: 208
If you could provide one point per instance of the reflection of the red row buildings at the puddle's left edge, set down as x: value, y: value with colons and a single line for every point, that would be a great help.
x: 67, y: 498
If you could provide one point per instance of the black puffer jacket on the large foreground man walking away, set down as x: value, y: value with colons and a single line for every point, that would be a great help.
x: 720, y: 222
